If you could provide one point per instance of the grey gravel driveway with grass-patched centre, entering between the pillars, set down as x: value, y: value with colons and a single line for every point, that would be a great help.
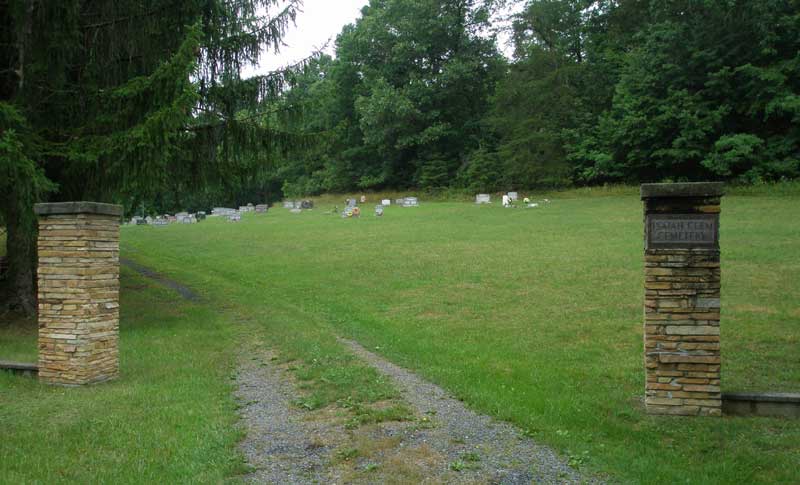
x: 445, y: 443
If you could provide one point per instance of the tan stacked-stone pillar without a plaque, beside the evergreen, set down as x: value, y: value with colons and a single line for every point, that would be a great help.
x: 78, y: 278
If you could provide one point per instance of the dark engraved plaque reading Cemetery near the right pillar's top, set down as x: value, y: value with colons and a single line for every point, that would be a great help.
x: 682, y: 231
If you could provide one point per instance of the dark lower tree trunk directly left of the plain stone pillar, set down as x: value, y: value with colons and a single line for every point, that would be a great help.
x: 21, y: 246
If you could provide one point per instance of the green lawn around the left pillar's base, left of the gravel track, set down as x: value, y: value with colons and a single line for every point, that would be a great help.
x: 169, y: 419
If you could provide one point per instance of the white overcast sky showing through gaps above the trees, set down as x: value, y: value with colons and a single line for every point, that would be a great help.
x: 320, y: 21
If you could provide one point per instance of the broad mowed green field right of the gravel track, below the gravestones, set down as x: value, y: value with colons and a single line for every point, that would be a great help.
x: 533, y: 316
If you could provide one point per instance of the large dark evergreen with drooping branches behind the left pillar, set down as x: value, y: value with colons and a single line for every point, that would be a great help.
x: 116, y: 100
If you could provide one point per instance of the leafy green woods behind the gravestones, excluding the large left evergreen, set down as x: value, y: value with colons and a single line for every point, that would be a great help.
x: 418, y: 96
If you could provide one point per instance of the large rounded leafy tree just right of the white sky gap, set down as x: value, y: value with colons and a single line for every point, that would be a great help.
x: 403, y: 100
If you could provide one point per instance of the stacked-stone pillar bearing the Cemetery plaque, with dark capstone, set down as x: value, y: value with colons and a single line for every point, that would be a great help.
x: 682, y: 298
